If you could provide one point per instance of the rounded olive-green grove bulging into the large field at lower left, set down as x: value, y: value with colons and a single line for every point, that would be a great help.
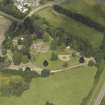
x: 15, y: 86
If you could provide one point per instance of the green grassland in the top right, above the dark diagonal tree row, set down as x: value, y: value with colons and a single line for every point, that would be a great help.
x: 86, y: 8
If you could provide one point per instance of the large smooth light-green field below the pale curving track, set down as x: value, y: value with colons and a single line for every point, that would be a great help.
x: 65, y: 88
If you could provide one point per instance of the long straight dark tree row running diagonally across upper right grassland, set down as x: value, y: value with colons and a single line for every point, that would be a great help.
x: 78, y: 17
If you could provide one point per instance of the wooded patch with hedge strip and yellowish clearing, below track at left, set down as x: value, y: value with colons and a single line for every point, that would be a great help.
x: 18, y: 81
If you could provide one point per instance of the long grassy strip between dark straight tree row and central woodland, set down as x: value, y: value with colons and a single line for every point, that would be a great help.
x: 72, y: 26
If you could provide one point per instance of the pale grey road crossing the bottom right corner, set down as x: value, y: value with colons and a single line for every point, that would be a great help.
x: 100, y: 96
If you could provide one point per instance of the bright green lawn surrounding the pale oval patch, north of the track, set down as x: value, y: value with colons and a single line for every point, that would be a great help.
x: 39, y: 58
